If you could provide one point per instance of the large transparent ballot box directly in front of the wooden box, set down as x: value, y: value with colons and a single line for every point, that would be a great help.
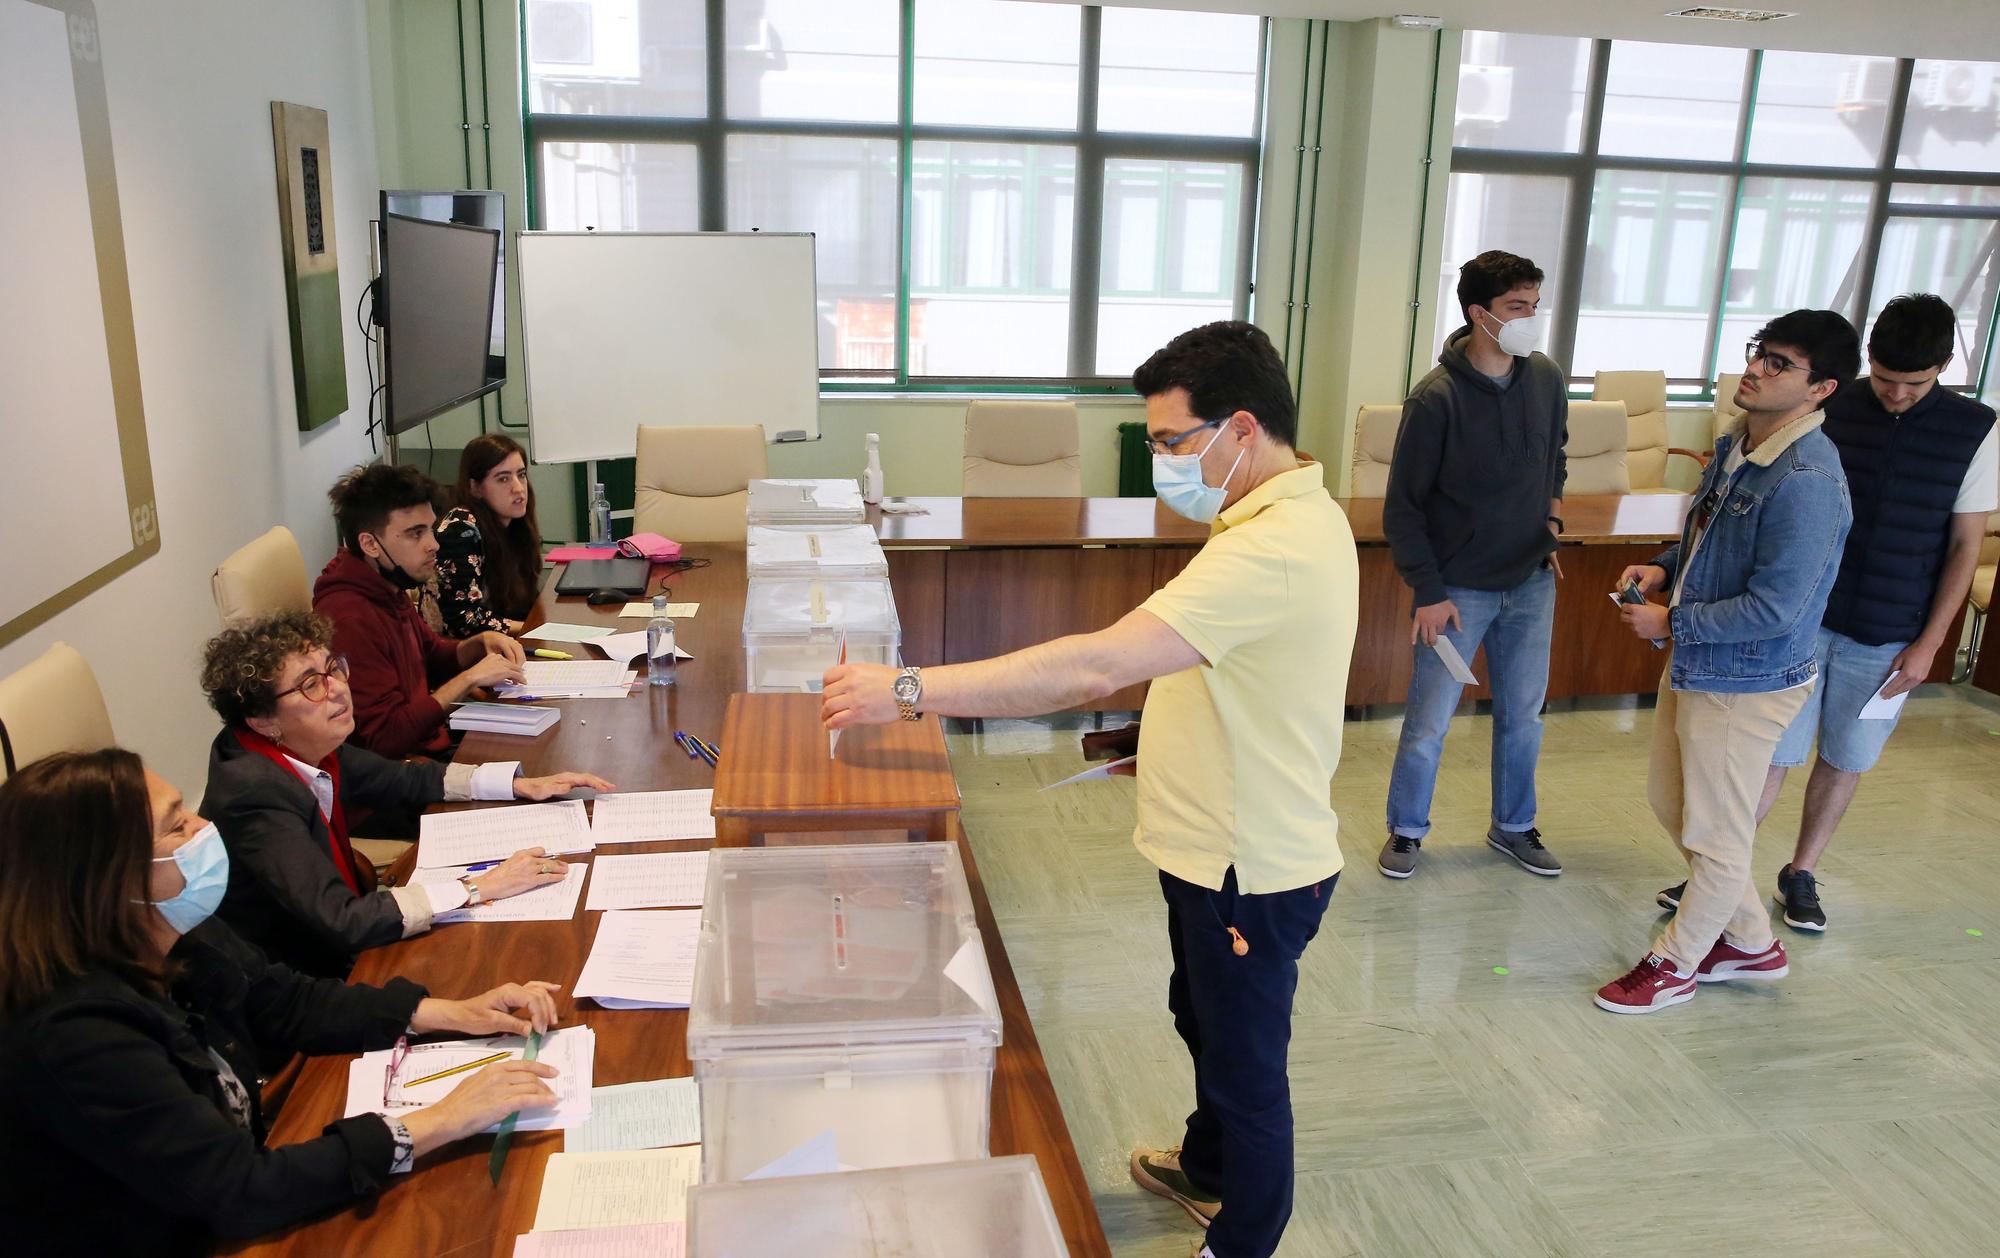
x: 843, y: 1007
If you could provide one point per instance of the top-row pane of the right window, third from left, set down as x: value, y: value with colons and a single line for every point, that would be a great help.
x: 1821, y: 109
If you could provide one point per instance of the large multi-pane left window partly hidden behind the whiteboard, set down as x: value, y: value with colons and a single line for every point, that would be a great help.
x: 999, y: 191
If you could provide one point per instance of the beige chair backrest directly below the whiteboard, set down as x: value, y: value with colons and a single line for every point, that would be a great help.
x: 693, y: 485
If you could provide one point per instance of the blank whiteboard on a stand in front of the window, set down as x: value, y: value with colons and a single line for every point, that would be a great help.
x: 627, y: 329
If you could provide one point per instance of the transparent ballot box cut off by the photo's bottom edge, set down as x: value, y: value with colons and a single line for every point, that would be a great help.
x: 997, y: 1207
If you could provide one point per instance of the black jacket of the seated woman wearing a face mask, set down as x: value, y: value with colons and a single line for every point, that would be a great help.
x: 117, y: 1133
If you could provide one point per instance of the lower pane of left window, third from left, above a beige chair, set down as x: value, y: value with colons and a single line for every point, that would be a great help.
x: 991, y: 259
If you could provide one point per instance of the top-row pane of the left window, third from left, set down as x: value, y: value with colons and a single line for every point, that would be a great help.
x: 993, y: 63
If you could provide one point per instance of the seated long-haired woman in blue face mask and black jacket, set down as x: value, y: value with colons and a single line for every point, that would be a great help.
x: 129, y: 1095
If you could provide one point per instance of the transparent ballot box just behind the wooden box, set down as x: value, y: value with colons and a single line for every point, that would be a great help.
x: 795, y: 629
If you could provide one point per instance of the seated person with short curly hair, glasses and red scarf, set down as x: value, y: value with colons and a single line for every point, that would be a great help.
x: 285, y: 791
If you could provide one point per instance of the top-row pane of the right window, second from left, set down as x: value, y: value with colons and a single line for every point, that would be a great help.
x: 1673, y: 101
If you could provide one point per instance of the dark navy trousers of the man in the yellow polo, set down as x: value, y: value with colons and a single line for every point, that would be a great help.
x: 1235, y: 1015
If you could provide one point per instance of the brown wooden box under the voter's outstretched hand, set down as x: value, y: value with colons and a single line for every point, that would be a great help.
x: 779, y: 783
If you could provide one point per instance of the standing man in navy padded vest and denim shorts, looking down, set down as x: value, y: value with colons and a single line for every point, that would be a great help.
x: 1923, y: 467
